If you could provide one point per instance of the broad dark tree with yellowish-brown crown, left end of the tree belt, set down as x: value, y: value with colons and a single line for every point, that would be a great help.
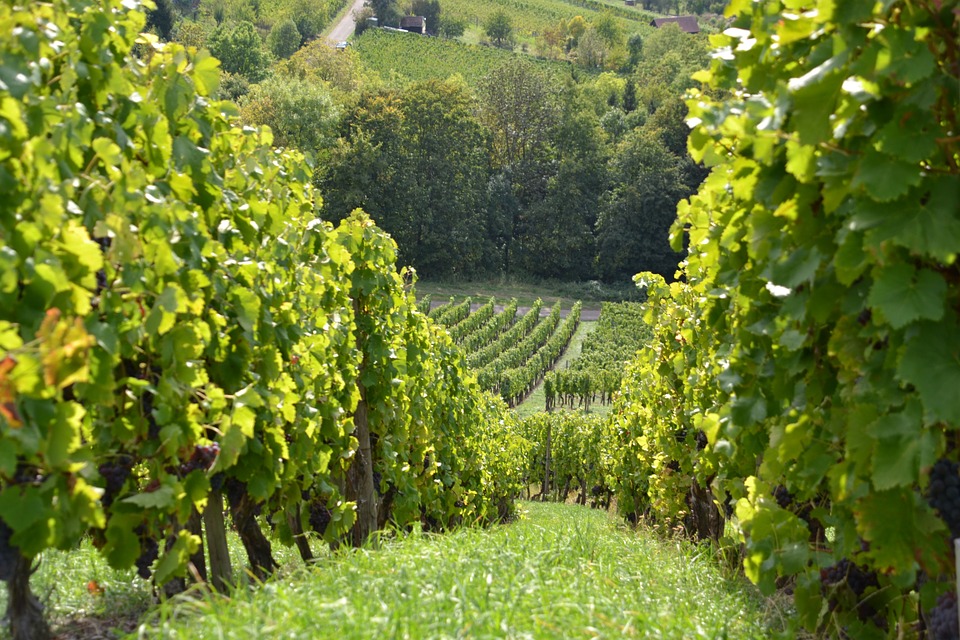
x: 415, y: 160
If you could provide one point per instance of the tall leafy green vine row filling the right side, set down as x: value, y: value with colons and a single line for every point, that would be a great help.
x: 815, y: 344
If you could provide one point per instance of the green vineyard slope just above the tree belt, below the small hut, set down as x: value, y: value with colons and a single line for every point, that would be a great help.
x: 416, y: 57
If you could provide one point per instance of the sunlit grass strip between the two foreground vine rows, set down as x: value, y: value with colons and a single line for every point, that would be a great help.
x: 560, y: 572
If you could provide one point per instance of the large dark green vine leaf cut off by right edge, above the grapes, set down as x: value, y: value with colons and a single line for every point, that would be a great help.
x: 931, y: 363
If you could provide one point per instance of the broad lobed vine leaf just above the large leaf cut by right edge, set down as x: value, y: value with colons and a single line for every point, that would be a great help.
x: 904, y: 295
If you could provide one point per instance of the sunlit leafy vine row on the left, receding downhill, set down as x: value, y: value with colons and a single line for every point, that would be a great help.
x: 173, y: 315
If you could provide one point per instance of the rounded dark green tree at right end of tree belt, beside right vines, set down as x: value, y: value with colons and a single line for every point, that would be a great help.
x: 636, y: 212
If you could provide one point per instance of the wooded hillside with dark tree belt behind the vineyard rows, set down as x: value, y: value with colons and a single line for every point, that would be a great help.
x: 568, y: 166
